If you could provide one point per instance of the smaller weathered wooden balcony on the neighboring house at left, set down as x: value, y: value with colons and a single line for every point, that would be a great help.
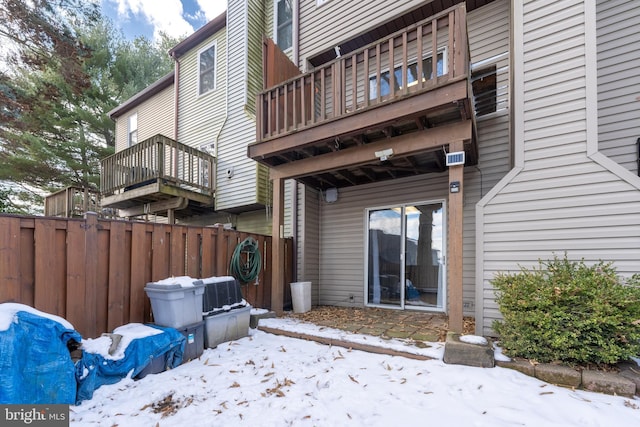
x: 158, y: 175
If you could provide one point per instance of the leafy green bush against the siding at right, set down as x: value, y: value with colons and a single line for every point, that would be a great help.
x: 569, y: 312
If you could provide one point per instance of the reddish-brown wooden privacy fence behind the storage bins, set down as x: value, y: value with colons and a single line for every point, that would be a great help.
x: 92, y: 272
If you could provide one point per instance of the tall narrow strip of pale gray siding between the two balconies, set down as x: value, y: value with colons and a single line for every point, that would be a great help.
x: 239, y: 126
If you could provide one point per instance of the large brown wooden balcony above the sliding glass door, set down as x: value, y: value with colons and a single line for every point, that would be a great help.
x: 408, y: 93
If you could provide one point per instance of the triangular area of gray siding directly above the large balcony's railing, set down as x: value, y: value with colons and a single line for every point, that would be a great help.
x: 316, y: 36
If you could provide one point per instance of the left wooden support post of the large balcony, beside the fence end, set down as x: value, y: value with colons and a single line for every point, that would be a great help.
x: 277, y: 250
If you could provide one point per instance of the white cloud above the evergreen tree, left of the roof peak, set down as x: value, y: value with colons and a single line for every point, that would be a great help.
x: 164, y: 15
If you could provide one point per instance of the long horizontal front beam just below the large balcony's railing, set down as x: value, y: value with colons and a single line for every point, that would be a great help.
x: 382, y: 113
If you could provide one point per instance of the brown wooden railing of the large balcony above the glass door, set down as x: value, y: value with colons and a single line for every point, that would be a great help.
x: 424, y: 56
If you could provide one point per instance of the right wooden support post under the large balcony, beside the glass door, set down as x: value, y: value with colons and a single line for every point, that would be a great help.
x: 454, y: 259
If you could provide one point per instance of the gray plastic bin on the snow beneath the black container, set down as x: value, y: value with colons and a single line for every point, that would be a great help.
x: 226, y: 326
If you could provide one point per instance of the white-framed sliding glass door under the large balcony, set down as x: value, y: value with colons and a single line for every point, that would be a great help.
x: 405, y: 262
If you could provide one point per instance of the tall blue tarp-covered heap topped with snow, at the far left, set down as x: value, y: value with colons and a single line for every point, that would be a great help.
x: 35, y: 361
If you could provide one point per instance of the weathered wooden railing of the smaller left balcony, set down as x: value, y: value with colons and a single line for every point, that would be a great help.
x: 158, y: 158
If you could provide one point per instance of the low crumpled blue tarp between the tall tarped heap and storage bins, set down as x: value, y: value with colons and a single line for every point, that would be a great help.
x: 94, y: 370
